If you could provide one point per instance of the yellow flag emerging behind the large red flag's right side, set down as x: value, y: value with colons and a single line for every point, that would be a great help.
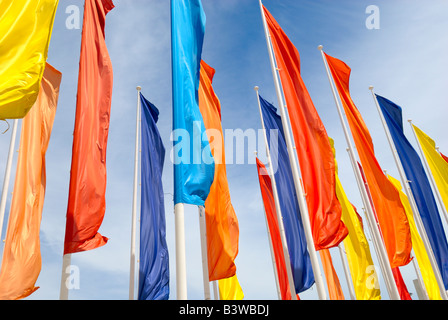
x: 356, y: 246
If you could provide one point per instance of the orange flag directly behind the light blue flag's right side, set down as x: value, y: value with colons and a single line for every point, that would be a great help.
x: 220, y: 217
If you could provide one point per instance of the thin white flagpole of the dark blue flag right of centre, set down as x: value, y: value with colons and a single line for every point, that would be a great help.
x: 277, y: 209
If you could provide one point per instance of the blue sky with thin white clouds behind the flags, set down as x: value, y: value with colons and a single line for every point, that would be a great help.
x: 404, y: 60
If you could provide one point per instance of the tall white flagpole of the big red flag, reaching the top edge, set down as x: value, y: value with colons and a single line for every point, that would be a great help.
x: 295, y: 170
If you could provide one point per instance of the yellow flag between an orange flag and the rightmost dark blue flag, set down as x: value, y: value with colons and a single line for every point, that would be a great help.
x: 428, y: 276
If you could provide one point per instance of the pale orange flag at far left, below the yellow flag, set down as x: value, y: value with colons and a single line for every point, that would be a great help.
x: 22, y: 262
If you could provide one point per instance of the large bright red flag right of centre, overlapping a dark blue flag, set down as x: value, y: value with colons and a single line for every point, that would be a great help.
x: 313, y: 148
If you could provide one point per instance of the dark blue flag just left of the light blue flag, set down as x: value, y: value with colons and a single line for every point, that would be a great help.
x: 154, y: 259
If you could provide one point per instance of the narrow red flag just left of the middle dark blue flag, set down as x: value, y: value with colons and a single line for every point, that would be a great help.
x: 274, y: 230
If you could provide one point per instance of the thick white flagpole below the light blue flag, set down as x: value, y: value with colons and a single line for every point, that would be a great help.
x: 181, y: 269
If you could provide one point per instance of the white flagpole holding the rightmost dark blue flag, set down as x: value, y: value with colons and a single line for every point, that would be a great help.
x: 410, y: 195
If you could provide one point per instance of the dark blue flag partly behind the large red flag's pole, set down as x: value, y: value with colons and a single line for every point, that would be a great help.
x: 302, y: 271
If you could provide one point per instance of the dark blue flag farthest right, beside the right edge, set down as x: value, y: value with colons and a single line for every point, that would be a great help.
x: 421, y: 189
